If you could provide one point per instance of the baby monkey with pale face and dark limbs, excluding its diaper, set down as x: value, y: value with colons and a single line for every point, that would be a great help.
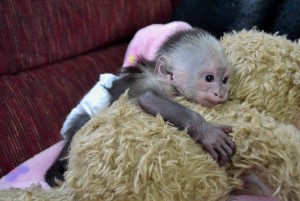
x: 190, y: 63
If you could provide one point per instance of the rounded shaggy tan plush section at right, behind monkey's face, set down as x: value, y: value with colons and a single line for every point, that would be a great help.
x: 266, y: 73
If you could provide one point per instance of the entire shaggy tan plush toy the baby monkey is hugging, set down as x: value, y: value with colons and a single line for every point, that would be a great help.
x: 126, y: 154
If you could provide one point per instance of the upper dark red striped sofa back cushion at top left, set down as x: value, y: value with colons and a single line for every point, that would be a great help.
x: 35, y: 33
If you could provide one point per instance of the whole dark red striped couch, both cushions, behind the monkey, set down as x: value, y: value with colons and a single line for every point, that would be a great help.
x: 51, y: 54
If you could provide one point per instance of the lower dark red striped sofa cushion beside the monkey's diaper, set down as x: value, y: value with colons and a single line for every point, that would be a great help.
x: 34, y: 104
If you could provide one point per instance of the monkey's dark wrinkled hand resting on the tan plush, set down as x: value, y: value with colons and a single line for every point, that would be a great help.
x: 215, y: 139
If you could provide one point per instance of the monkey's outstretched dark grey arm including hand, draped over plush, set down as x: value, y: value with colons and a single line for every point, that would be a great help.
x: 213, y: 138
